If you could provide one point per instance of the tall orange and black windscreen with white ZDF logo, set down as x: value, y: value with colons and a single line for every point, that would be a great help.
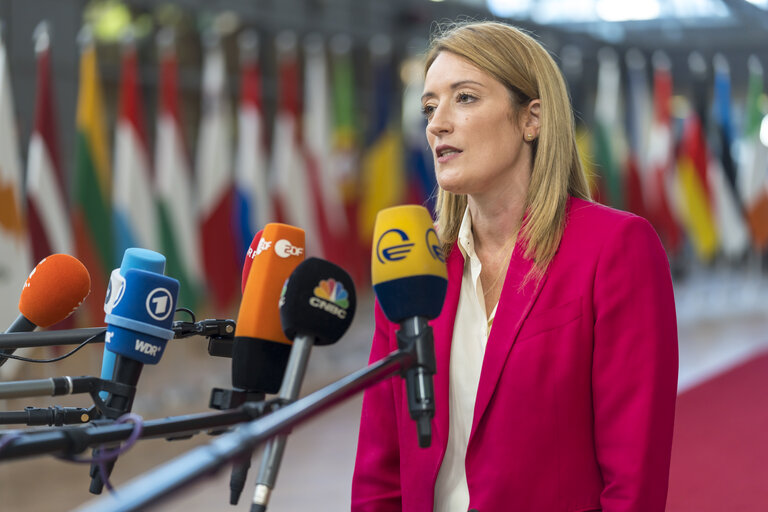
x: 261, y: 349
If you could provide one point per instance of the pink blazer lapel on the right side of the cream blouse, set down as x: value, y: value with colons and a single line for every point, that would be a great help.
x: 514, y: 305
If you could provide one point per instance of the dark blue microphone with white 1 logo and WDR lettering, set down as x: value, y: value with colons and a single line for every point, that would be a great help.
x: 138, y: 327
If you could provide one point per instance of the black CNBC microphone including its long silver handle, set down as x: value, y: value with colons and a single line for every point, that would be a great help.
x: 317, y: 307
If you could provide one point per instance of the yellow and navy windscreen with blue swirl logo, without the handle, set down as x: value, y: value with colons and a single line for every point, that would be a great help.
x: 407, y: 265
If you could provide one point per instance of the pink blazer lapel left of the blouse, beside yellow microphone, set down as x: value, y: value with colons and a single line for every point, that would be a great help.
x: 442, y: 328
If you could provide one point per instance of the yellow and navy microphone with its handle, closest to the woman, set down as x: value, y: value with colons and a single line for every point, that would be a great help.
x: 410, y: 281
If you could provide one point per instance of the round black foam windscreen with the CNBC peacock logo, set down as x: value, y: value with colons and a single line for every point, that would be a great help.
x: 318, y: 300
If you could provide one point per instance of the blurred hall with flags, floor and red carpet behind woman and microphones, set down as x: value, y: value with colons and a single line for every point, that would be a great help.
x: 185, y: 126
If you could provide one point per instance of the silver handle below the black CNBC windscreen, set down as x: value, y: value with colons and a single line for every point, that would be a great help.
x: 273, y: 452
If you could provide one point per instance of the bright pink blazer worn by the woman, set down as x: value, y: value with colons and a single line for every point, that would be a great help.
x: 576, y: 399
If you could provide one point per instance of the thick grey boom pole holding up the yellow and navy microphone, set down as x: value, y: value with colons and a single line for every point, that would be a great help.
x: 205, y: 460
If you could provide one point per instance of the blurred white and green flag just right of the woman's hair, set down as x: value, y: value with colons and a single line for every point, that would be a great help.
x: 608, y: 136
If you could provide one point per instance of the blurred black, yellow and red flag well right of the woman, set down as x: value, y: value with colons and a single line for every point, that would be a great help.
x: 693, y: 169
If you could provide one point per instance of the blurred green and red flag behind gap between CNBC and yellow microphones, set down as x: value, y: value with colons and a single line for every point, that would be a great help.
x: 345, y: 156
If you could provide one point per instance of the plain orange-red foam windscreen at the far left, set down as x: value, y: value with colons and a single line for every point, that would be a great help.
x: 54, y: 289
